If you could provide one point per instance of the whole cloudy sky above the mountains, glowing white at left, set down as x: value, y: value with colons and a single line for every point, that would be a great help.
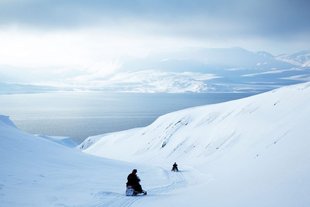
x: 95, y: 36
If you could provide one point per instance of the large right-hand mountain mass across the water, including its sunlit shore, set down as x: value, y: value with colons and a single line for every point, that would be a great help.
x: 227, y: 70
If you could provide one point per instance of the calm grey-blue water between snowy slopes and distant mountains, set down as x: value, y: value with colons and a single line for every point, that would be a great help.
x: 82, y: 114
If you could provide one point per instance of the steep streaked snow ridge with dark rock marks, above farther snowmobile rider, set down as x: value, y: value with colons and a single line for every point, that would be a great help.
x: 202, y: 131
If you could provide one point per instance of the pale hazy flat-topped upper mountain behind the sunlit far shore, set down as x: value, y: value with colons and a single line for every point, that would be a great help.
x: 204, y: 59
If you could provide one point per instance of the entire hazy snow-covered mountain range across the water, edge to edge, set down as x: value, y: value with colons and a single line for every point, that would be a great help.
x: 196, y: 70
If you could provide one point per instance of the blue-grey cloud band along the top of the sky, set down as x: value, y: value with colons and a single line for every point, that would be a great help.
x: 199, y: 18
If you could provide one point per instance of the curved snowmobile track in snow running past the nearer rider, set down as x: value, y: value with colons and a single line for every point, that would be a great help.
x: 112, y: 199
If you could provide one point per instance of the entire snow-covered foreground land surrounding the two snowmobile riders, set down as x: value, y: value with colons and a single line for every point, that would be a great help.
x: 252, y: 152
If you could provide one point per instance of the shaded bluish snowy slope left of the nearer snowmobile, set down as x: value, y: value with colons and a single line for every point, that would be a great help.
x: 36, y: 172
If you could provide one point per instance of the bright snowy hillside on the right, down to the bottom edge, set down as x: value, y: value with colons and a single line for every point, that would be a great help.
x: 248, y: 152
